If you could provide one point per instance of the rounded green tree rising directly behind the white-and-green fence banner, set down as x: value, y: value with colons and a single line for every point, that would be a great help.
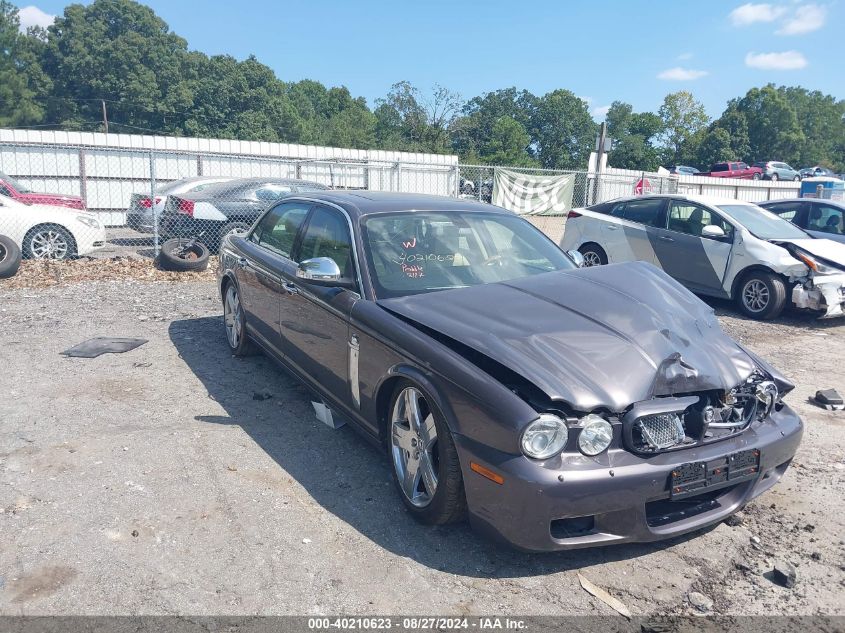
x: 563, y: 130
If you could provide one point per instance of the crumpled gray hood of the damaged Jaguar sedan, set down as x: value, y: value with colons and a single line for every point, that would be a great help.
x: 600, y: 337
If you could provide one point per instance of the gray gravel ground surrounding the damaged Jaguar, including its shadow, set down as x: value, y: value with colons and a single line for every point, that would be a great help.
x: 153, y: 483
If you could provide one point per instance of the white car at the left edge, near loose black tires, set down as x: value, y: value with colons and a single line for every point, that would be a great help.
x: 50, y: 232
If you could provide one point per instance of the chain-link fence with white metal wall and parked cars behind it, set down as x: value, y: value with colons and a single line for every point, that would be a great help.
x: 62, y: 201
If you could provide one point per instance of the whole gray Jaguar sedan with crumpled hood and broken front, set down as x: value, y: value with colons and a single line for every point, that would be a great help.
x: 556, y: 406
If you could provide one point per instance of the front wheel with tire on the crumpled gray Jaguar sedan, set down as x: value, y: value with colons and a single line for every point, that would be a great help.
x: 426, y: 468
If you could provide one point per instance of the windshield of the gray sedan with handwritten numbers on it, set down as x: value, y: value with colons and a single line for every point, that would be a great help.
x: 412, y: 253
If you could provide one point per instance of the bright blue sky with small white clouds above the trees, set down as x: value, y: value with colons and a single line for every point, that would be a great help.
x: 602, y: 50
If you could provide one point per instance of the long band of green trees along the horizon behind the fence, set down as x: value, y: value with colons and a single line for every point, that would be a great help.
x: 122, y: 53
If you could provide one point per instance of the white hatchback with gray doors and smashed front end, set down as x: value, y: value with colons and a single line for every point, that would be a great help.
x: 717, y: 247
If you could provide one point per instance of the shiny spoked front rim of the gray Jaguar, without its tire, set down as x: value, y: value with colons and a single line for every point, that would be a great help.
x: 414, y: 440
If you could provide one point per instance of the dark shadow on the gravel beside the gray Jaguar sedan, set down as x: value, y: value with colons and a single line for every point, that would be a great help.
x: 348, y: 475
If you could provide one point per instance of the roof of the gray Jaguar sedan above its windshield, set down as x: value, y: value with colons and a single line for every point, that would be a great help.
x: 365, y: 202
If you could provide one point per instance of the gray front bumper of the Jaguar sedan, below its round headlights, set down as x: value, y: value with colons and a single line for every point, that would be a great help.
x: 616, y: 497
